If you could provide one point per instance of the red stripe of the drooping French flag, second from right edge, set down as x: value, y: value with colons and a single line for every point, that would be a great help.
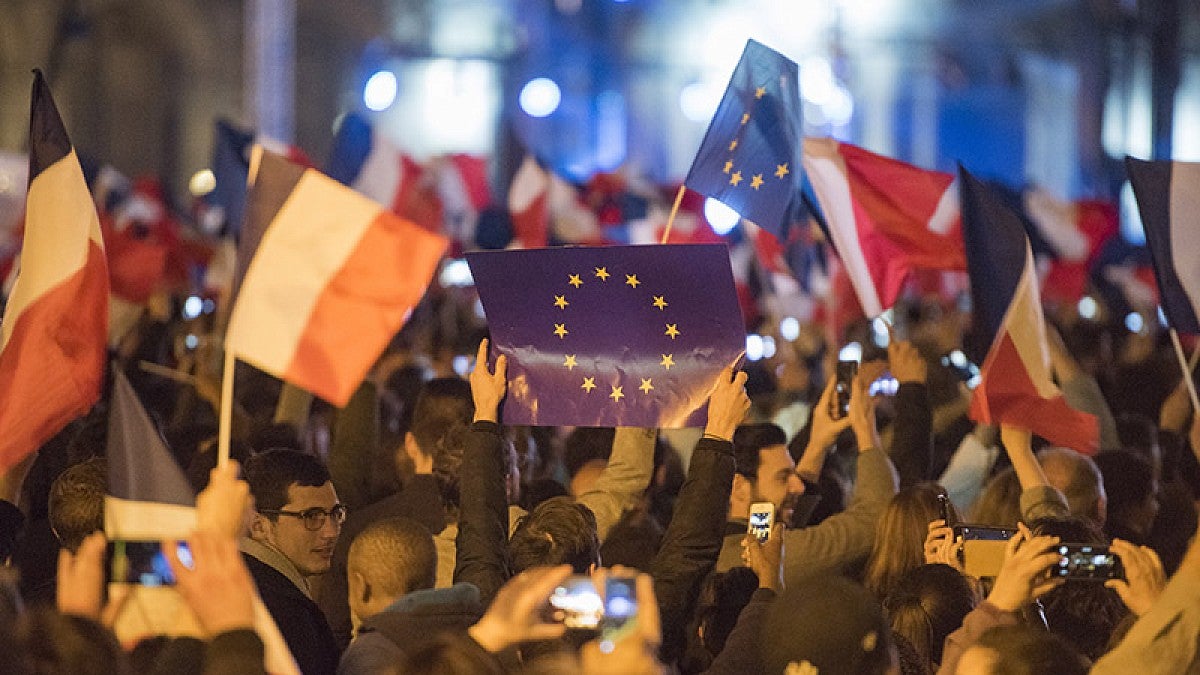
x: 1007, y: 396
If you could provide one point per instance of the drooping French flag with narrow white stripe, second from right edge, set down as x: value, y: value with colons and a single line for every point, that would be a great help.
x: 1017, y: 387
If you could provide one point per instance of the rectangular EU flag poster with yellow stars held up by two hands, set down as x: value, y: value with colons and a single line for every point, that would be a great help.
x: 611, y: 337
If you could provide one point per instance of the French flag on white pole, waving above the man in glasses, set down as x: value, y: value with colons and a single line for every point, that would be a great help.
x: 333, y: 280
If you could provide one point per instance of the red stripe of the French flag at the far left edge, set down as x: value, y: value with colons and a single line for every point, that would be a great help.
x: 52, y: 368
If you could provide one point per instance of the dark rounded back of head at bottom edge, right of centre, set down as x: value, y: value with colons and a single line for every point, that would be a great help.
x: 831, y: 624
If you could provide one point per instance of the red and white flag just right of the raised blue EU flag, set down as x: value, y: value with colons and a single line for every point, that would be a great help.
x: 886, y: 218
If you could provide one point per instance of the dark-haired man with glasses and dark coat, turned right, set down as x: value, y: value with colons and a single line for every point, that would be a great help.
x: 292, y: 537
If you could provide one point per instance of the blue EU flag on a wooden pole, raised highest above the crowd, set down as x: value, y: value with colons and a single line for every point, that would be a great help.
x: 751, y: 158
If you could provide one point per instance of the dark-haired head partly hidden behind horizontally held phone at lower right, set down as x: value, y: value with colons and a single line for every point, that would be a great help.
x: 1083, y: 613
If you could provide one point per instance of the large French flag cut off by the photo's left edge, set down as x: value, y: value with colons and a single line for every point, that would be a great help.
x: 56, y: 325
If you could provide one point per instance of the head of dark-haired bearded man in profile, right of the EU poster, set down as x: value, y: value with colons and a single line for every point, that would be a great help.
x: 766, y: 473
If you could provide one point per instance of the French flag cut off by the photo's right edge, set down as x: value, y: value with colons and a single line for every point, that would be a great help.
x: 1169, y: 201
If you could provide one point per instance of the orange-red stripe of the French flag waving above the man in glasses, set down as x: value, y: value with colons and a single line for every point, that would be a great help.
x: 363, y: 307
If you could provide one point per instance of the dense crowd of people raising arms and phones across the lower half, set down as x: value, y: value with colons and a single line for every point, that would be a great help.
x: 413, y: 533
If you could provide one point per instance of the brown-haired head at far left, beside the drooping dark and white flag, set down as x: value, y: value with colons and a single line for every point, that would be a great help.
x: 77, y: 503
